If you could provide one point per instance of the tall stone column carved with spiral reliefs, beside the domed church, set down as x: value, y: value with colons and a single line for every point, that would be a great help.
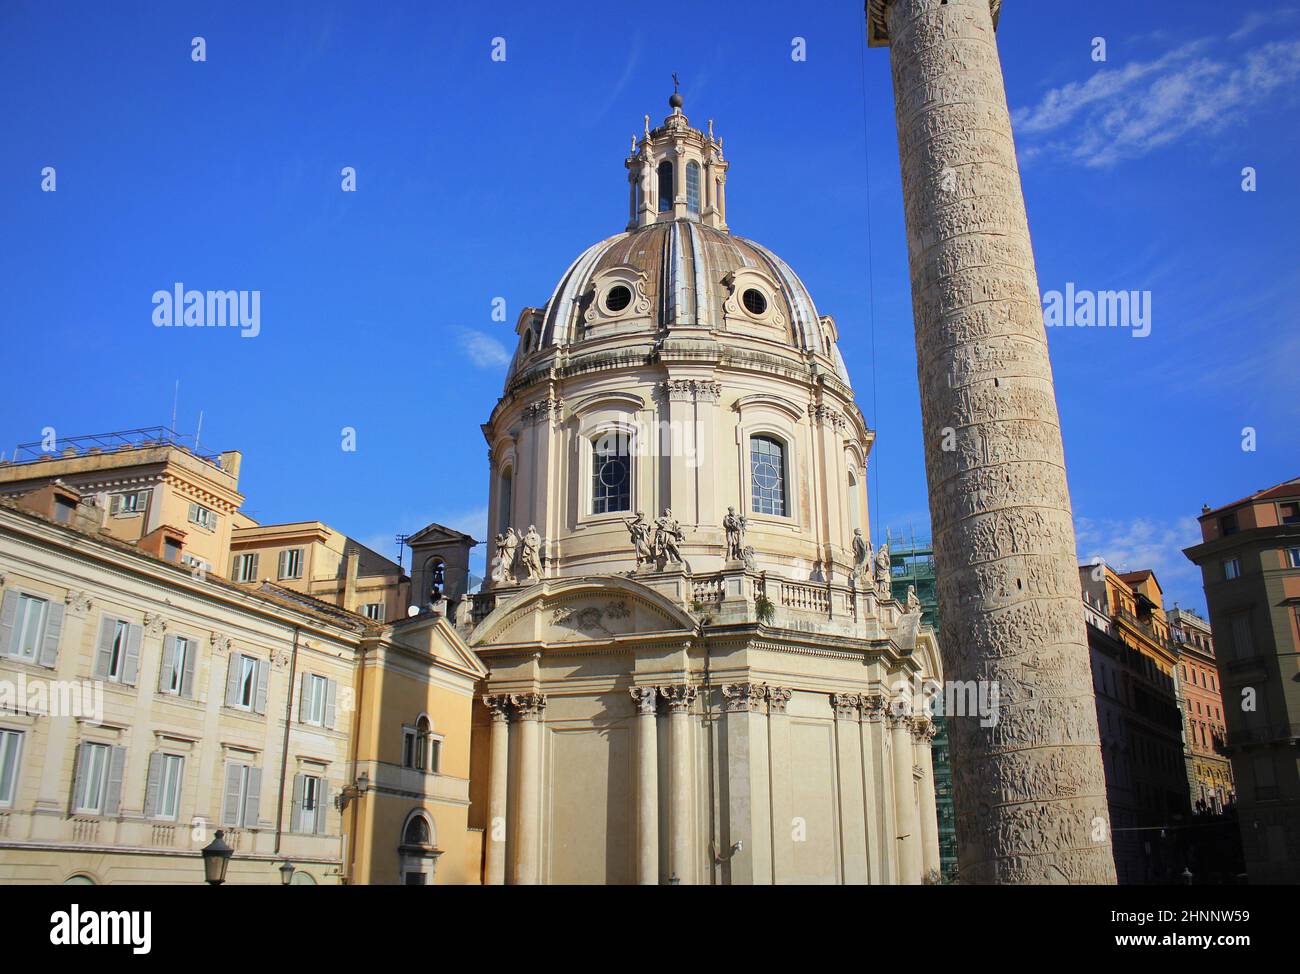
x: 1030, y: 789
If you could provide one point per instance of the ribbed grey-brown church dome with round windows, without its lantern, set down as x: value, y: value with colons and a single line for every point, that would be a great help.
x: 679, y: 275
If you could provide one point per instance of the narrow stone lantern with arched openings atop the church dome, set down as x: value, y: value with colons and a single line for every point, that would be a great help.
x: 677, y: 174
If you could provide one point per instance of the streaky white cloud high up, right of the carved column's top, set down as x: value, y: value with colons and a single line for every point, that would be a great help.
x: 1197, y: 89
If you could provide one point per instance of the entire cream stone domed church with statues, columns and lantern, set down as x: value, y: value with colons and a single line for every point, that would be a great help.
x: 697, y: 669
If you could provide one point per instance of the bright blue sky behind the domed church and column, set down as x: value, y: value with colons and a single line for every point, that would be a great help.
x: 482, y: 179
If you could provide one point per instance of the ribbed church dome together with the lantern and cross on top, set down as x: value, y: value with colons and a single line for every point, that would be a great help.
x: 677, y: 271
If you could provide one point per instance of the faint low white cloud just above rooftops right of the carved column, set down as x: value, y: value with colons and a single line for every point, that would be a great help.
x: 1143, y: 543
